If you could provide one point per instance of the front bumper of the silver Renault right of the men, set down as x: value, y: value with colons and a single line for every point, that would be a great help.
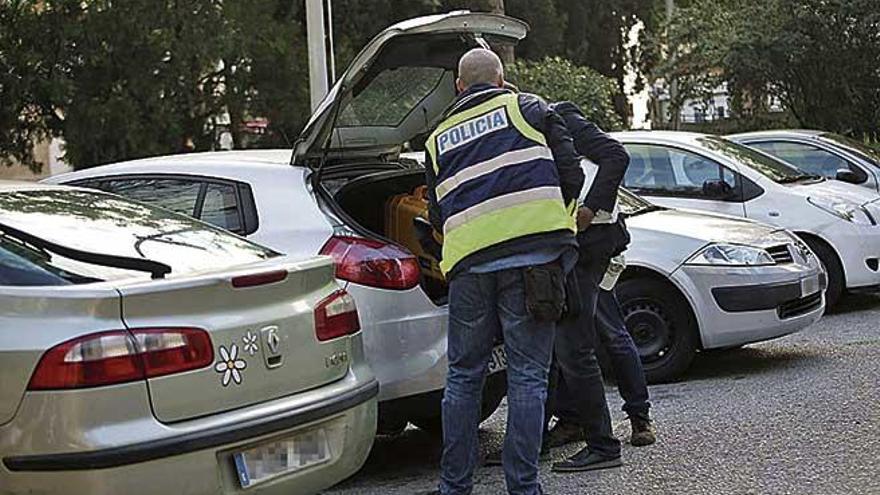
x: 732, y: 309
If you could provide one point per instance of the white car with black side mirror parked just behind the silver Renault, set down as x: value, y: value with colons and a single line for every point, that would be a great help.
x: 838, y: 221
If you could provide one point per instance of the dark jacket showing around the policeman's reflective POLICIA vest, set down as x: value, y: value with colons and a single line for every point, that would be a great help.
x: 571, y: 177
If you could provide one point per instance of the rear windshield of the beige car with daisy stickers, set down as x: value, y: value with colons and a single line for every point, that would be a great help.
x: 100, y: 223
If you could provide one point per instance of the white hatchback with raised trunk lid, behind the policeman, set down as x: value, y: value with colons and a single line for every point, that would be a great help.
x: 328, y: 201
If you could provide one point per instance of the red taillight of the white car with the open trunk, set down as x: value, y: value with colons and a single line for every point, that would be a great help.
x: 373, y: 263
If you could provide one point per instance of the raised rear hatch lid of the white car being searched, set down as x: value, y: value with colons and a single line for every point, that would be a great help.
x: 400, y: 83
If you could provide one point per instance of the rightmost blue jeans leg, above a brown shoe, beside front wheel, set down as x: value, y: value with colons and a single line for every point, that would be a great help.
x: 624, y: 356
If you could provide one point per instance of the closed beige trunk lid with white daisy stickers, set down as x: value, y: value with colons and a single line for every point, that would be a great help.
x: 263, y: 335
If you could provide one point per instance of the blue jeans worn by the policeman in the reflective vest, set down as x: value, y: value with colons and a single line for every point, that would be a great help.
x: 482, y: 305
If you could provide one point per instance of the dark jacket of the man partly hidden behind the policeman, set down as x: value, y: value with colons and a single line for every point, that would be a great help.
x: 601, y: 149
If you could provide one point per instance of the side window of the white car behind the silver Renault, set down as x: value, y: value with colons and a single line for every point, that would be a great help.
x: 656, y: 169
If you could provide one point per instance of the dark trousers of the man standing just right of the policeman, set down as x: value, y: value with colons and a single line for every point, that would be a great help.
x: 579, y: 392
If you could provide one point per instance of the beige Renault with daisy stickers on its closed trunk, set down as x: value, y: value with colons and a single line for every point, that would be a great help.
x: 143, y: 352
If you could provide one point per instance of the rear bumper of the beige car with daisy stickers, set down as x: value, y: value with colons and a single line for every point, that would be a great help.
x: 200, y: 460
